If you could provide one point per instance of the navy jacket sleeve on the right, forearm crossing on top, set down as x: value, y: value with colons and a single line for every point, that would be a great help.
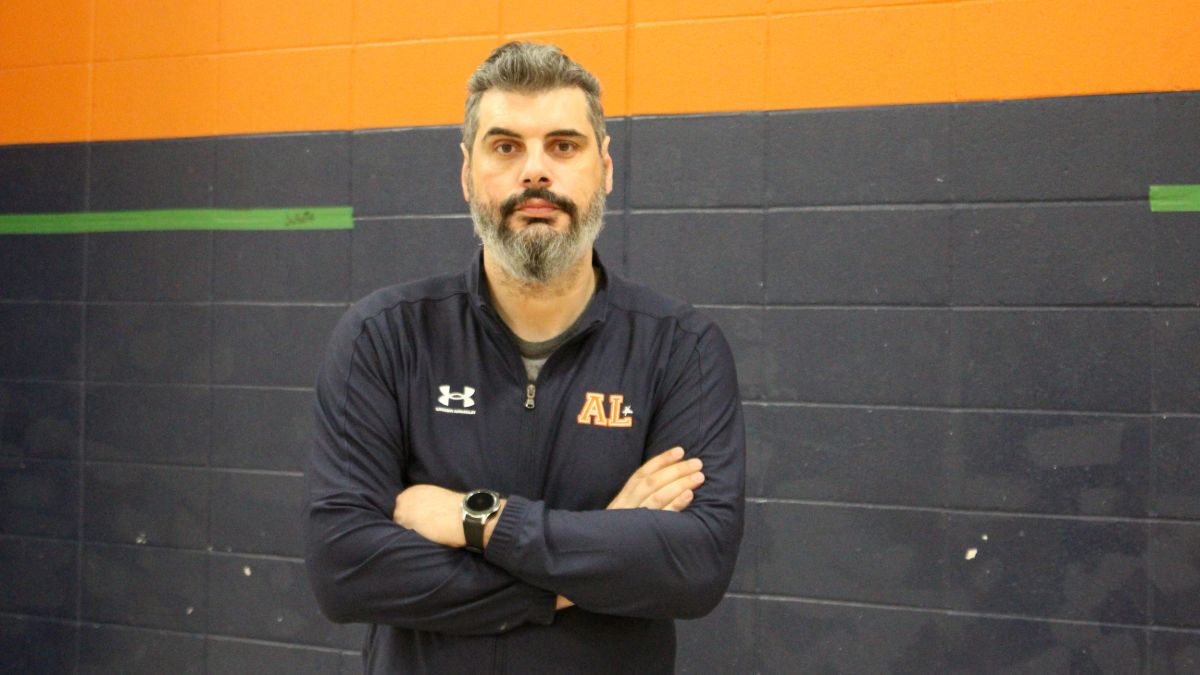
x: 644, y: 563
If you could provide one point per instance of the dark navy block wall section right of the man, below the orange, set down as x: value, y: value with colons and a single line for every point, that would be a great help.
x: 970, y: 363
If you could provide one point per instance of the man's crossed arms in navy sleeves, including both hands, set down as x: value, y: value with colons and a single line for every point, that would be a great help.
x: 671, y: 559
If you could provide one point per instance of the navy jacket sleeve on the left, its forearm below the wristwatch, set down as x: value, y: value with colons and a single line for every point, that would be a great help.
x: 363, y: 568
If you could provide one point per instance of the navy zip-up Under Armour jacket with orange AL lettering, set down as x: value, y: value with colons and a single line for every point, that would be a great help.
x: 422, y: 384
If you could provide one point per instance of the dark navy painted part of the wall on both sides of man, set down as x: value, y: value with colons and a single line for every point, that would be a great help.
x: 970, y: 357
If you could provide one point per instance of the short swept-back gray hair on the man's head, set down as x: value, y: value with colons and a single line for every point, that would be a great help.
x: 530, y: 68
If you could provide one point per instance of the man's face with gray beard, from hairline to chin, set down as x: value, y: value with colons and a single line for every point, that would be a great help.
x: 537, y: 182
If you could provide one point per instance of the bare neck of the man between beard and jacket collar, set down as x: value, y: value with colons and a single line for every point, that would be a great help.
x: 541, y: 312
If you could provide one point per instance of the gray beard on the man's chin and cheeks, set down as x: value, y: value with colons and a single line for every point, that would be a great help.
x: 538, y: 254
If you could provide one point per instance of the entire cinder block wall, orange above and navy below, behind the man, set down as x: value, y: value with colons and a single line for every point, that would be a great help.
x: 969, y: 351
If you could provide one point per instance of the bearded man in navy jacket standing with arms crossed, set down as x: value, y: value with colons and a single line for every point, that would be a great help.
x: 533, y: 467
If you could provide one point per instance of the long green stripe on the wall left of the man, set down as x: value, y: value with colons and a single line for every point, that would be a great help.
x: 299, y: 218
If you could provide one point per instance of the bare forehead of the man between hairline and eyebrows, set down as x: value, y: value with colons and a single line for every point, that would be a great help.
x: 533, y: 115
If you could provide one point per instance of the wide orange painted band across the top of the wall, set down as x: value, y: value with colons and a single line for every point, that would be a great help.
x: 80, y: 70
